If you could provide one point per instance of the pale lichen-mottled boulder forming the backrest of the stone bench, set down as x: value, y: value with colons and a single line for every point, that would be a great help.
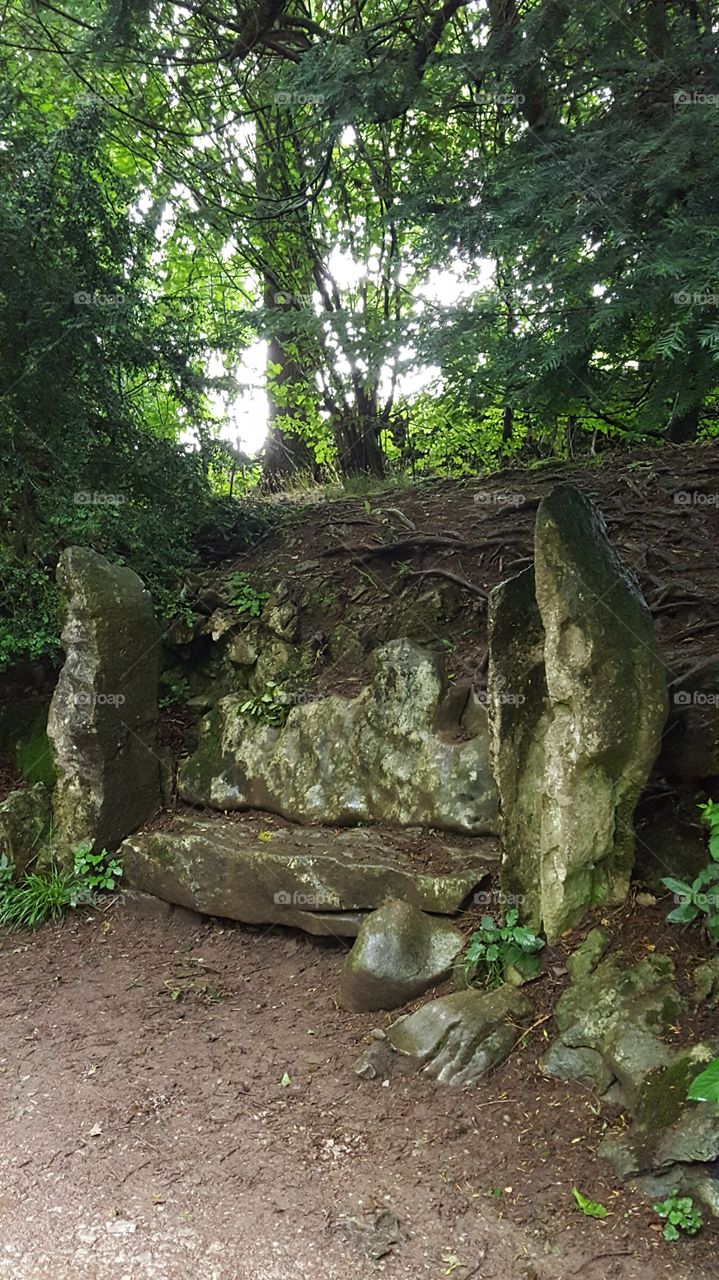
x: 381, y: 757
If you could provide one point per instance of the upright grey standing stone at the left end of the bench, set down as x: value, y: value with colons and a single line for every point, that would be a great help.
x: 103, y: 720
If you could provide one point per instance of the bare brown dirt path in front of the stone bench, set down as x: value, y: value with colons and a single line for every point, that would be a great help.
x: 146, y: 1135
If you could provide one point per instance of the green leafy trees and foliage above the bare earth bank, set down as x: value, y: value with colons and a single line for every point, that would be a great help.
x: 466, y: 230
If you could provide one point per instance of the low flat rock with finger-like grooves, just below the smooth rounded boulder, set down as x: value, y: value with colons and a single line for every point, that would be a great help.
x: 459, y: 1039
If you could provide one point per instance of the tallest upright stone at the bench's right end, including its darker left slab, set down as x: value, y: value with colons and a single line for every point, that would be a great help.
x: 578, y: 706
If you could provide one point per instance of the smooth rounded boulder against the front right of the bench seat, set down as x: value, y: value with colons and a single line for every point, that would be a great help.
x: 399, y: 954
